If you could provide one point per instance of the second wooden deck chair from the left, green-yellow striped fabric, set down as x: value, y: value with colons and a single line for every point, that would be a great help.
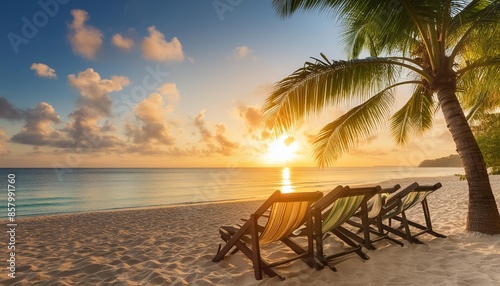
x: 332, y: 211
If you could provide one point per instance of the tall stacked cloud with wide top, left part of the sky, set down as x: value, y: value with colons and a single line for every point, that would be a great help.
x: 94, y: 104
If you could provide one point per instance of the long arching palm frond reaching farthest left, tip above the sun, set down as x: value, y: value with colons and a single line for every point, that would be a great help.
x: 311, y: 88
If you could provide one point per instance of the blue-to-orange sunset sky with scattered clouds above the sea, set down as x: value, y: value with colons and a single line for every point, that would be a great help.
x: 176, y: 83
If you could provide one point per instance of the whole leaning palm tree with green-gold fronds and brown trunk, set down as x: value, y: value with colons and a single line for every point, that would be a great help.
x: 448, y: 52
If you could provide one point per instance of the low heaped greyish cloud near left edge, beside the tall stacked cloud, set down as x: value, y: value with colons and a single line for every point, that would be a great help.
x: 39, y: 129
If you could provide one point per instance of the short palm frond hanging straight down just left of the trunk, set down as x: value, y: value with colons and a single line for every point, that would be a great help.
x: 414, y: 117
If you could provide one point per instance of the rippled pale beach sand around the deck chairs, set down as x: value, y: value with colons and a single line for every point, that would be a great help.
x: 175, y: 245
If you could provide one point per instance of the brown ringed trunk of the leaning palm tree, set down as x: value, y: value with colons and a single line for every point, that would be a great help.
x: 483, y: 213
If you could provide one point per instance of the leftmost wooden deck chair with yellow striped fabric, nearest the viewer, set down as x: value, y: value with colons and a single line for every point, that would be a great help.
x: 288, y: 211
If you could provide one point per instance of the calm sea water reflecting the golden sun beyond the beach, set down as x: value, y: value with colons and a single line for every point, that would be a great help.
x: 49, y: 191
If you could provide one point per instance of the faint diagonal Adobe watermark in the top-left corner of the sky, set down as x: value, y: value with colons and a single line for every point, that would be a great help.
x: 30, y: 27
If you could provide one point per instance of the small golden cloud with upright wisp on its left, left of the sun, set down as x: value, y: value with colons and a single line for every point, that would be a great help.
x: 215, y: 143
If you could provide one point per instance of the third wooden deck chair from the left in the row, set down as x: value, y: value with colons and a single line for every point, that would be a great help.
x: 374, y: 207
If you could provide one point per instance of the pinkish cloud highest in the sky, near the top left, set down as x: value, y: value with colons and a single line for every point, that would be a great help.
x: 85, y: 40
